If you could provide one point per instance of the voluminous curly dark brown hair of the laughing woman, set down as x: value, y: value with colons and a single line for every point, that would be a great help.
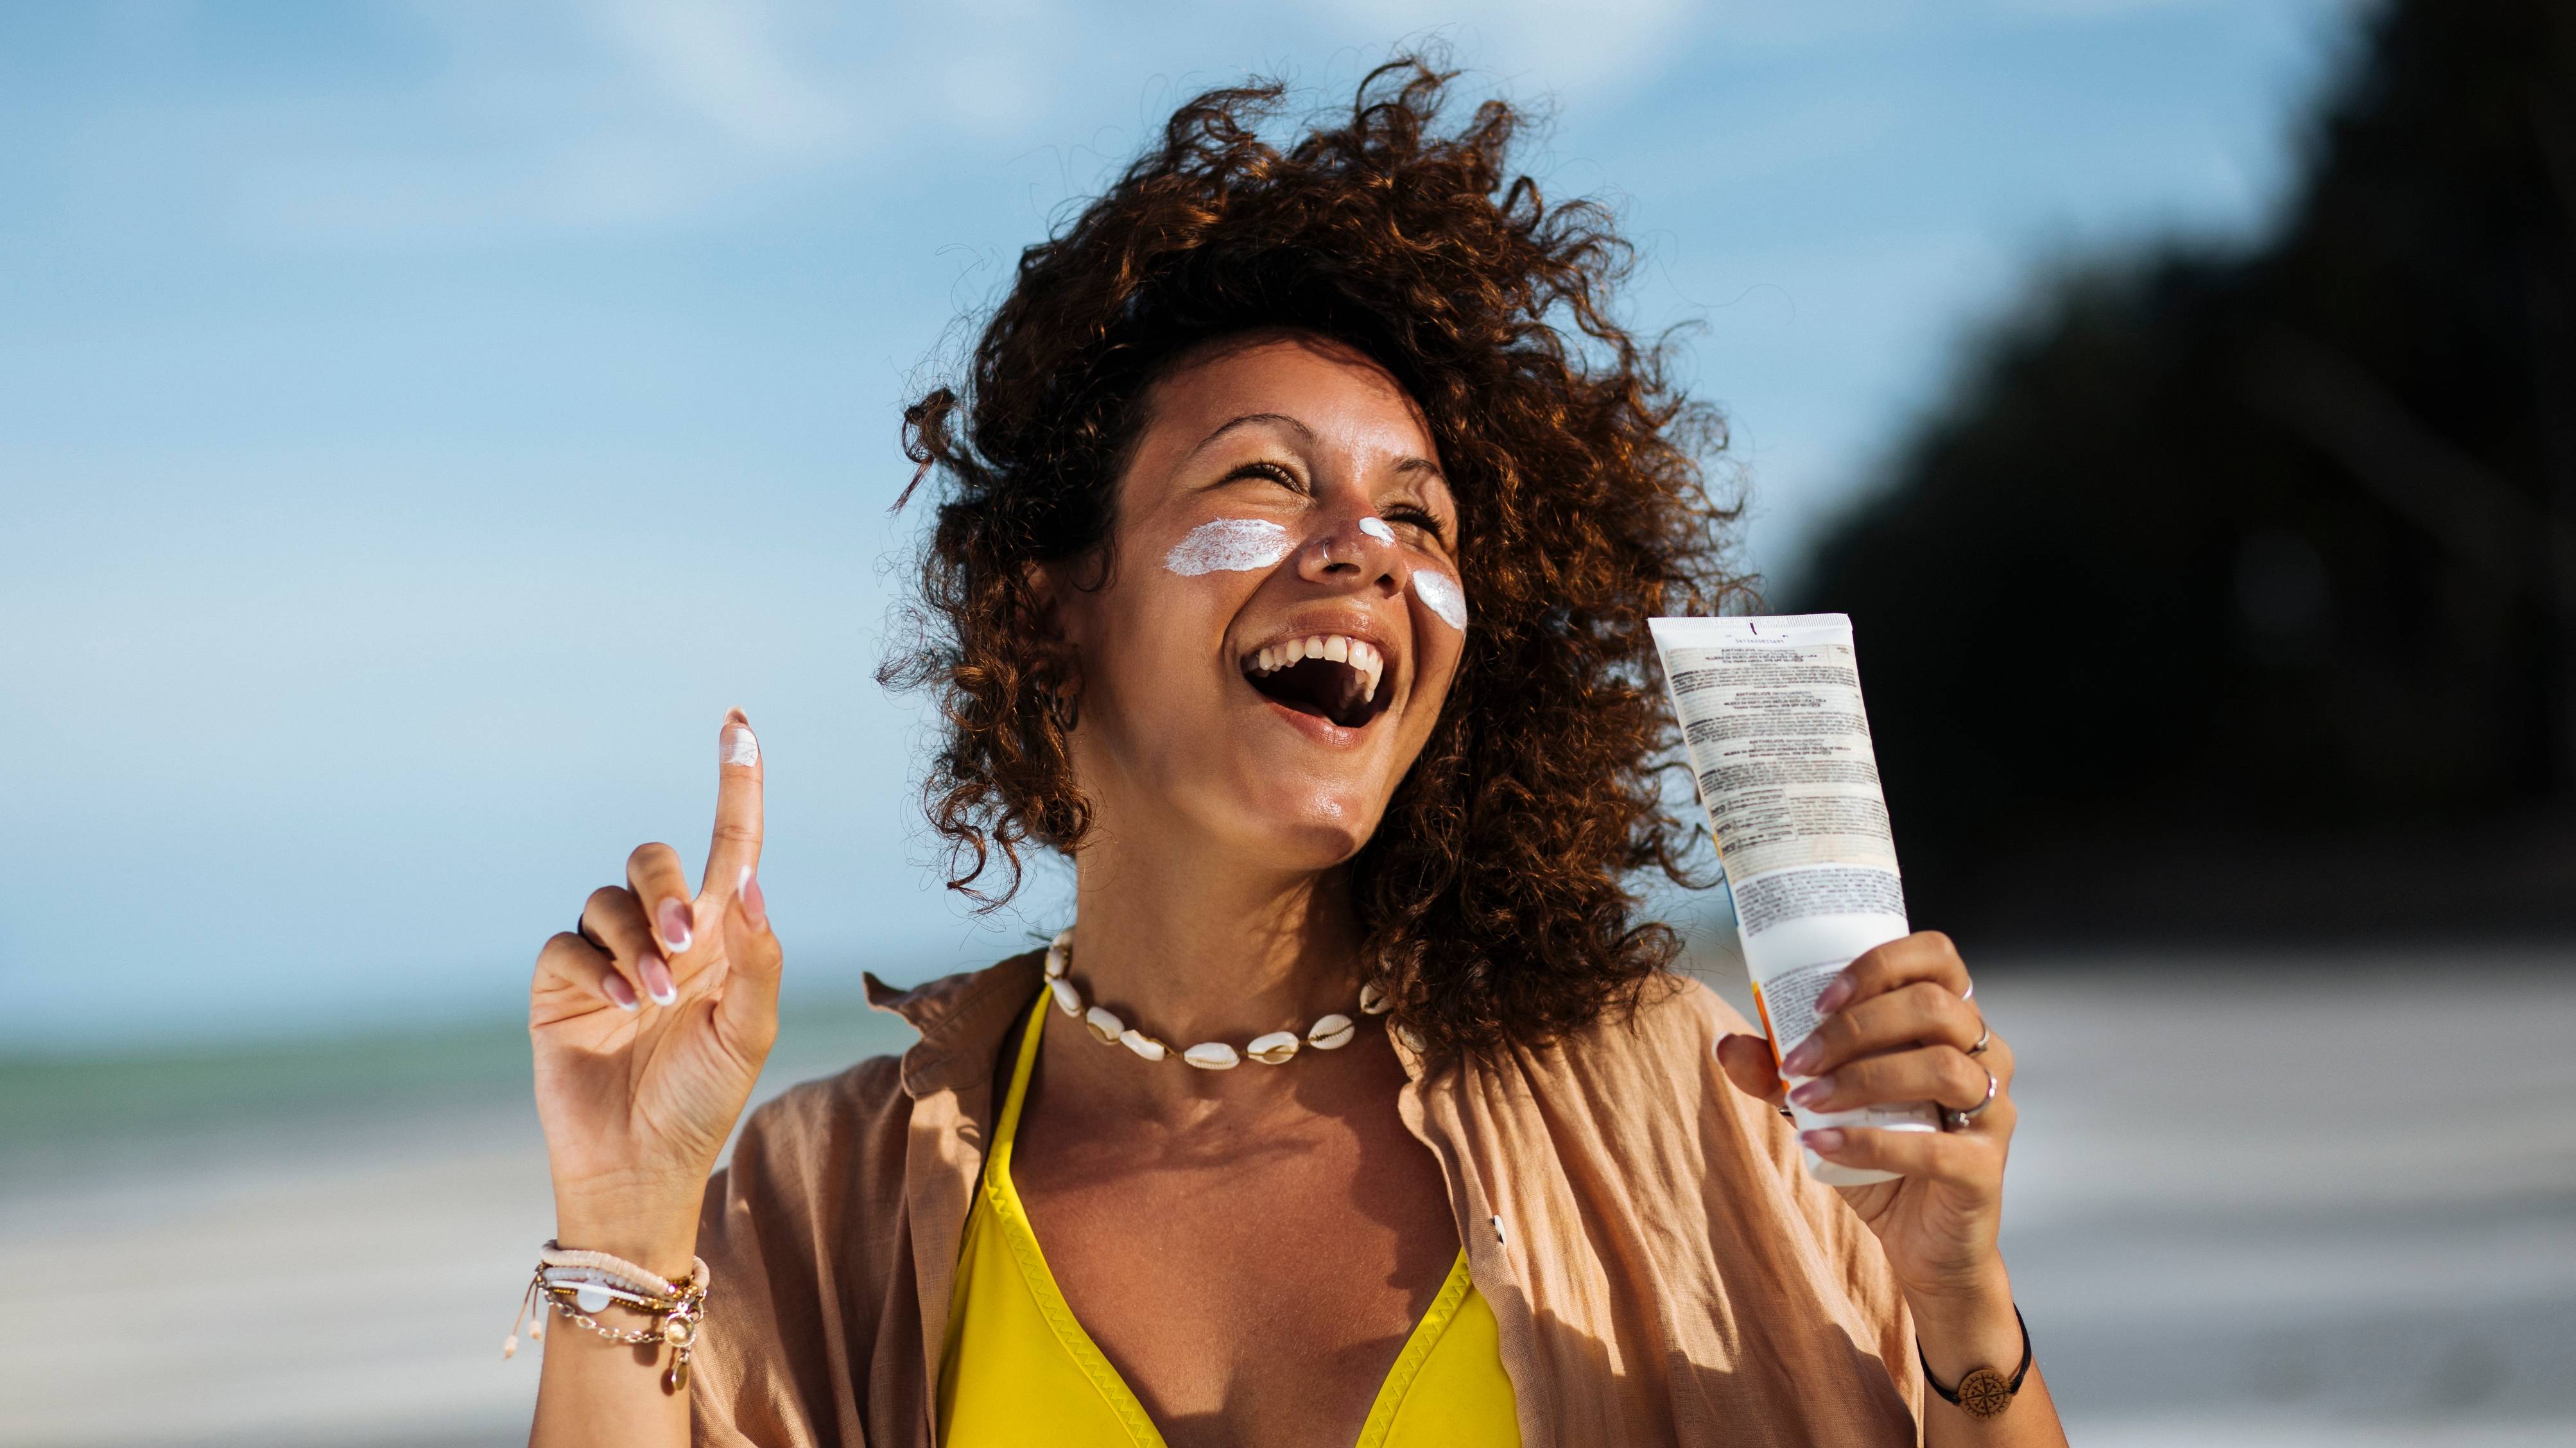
x: 1495, y: 895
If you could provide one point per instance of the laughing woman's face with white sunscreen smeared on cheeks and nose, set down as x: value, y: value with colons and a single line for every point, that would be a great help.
x: 1284, y: 499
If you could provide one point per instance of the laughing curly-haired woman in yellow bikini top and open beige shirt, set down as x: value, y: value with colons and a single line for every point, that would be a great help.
x: 1300, y: 537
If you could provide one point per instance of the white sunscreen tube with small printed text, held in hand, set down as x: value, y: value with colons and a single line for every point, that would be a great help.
x: 1776, y: 736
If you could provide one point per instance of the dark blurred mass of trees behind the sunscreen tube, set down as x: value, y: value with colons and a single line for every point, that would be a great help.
x: 2250, y: 576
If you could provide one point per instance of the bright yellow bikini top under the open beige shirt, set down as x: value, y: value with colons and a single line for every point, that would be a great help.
x: 1019, y: 1369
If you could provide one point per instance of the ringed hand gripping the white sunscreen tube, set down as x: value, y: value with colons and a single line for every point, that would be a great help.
x: 1897, y: 1029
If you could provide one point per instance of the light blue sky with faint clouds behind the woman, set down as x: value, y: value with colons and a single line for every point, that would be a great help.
x: 421, y: 421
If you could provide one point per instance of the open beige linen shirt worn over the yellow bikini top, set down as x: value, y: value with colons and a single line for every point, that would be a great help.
x: 1658, y: 1259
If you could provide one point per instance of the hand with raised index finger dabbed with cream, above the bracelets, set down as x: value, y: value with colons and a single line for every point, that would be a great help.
x: 650, y: 1027
